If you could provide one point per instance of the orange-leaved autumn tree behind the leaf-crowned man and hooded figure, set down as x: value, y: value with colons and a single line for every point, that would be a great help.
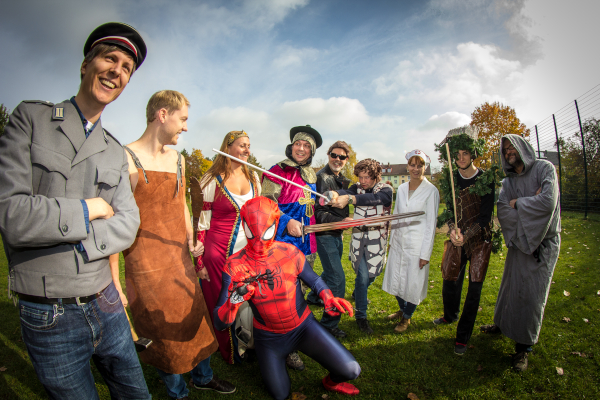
x: 494, y: 121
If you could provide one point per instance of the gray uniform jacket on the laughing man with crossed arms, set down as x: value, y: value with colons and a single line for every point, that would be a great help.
x: 46, y: 167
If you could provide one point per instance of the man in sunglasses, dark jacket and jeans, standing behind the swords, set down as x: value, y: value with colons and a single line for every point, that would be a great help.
x: 329, y: 243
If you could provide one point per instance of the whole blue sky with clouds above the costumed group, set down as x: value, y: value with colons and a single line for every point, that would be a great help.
x: 386, y: 76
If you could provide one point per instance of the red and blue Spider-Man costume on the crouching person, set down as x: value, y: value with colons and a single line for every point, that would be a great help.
x: 266, y: 273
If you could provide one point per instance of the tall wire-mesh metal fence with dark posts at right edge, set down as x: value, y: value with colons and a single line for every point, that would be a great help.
x: 570, y: 139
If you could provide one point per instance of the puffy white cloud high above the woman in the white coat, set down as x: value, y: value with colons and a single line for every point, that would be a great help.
x: 462, y: 79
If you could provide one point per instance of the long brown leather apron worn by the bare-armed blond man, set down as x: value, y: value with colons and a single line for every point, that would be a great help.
x: 164, y: 295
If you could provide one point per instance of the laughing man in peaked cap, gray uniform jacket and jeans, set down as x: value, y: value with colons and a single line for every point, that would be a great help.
x: 65, y: 206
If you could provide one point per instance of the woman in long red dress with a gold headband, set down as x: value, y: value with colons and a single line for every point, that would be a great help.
x: 226, y: 186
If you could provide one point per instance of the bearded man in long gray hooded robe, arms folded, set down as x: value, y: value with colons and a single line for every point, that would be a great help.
x: 529, y: 214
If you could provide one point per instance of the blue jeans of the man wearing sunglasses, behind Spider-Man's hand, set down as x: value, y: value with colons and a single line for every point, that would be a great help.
x: 330, y: 249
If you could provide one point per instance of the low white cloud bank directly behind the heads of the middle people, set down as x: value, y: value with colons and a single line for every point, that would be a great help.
x: 336, y: 118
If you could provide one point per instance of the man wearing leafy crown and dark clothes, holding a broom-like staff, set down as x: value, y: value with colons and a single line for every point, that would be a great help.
x: 471, y: 232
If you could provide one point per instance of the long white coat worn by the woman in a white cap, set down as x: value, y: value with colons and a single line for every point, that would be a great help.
x: 412, y: 240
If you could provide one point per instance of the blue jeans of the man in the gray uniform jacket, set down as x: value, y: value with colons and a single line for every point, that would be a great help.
x: 62, y: 338
